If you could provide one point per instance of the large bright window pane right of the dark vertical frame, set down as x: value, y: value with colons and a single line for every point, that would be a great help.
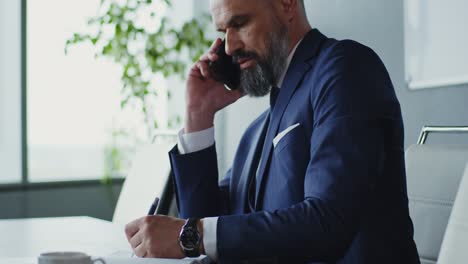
x: 74, y: 116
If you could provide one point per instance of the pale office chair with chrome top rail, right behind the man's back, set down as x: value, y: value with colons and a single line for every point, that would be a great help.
x: 433, y: 172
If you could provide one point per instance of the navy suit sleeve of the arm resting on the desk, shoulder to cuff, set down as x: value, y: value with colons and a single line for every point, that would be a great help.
x: 346, y: 153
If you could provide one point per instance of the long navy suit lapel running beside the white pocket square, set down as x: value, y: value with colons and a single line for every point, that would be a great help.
x: 306, y: 50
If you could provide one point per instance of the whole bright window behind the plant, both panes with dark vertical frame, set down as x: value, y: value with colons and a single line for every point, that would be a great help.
x: 64, y: 109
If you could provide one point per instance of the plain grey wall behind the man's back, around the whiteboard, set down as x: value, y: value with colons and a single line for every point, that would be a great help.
x: 380, y: 24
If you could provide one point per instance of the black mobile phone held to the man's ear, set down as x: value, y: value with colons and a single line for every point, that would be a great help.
x: 225, y: 69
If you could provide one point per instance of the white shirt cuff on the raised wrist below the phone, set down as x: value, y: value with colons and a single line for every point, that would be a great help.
x: 195, y: 141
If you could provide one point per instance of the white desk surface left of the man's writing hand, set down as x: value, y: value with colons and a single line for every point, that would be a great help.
x: 30, y: 237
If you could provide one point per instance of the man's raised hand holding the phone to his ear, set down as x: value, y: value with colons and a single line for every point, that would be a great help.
x: 204, y: 95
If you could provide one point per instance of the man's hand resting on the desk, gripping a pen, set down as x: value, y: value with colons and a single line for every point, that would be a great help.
x: 155, y: 236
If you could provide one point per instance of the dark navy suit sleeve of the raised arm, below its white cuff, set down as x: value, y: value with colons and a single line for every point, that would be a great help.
x: 198, y: 192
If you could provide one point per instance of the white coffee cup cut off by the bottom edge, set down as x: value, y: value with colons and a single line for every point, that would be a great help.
x: 67, y: 258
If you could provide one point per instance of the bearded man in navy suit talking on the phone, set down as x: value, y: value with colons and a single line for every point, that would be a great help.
x: 319, y: 177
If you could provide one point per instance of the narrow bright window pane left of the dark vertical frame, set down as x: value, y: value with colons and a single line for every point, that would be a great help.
x: 10, y: 91
